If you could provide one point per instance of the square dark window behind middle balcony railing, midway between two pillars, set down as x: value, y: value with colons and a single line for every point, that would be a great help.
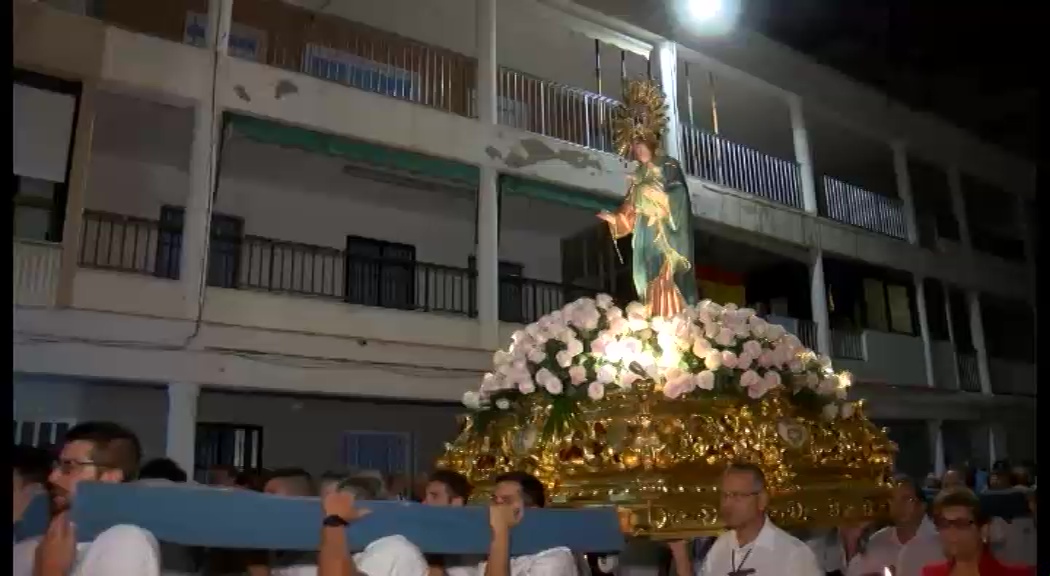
x: 381, y: 274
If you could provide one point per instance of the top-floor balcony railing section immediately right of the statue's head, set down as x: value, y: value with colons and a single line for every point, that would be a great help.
x: 732, y: 165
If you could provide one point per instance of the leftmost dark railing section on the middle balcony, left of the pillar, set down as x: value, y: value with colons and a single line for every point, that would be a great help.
x: 130, y: 244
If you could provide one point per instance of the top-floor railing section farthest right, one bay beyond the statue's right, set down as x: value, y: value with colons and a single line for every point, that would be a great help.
x: 855, y: 206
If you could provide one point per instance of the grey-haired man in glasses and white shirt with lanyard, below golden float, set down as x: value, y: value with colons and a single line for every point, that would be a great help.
x: 753, y: 546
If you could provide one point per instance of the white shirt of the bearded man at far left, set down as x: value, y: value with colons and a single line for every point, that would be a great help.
x: 120, y: 551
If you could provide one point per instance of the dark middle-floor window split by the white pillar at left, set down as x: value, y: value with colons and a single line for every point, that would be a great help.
x: 224, y: 258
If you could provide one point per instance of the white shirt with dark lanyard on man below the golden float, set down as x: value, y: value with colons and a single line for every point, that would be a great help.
x: 773, y: 553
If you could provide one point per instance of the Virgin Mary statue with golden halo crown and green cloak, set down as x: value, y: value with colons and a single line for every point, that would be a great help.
x: 657, y: 211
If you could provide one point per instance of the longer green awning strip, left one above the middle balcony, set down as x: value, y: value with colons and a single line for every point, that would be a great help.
x: 356, y: 152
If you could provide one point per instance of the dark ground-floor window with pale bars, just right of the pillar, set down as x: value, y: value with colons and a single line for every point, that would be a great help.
x: 220, y: 444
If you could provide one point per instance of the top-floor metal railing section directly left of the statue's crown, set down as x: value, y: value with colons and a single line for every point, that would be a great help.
x: 555, y: 111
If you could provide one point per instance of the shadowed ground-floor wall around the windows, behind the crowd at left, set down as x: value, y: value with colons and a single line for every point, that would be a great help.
x: 304, y: 432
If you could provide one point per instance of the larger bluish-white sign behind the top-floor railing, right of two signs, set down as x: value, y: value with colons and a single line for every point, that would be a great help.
x: 358, y: 72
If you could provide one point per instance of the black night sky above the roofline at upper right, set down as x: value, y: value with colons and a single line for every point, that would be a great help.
x: 972, y: 62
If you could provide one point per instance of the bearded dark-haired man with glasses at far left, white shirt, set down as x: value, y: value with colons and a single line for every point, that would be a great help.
x: 94, y: 452
